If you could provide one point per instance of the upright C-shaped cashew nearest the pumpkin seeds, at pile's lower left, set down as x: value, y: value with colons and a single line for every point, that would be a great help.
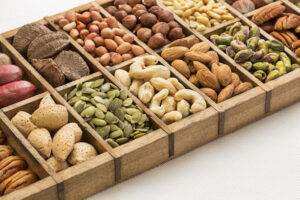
x: 156, y: 100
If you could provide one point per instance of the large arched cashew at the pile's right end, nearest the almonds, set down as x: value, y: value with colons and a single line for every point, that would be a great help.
x: 198, y: 103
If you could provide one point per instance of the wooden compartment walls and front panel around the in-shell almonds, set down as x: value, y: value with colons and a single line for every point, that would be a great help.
x: 76, y: 178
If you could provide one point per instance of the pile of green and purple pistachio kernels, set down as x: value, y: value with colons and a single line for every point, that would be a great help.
x: 265, y: 59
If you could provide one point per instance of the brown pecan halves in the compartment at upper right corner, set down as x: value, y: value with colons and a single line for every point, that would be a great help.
x: 285, y: 27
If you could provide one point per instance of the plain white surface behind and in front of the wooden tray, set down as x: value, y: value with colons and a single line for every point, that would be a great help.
x: 258, y: 162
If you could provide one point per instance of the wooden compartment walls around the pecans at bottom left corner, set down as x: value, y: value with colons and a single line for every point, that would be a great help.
x: 45, y: 187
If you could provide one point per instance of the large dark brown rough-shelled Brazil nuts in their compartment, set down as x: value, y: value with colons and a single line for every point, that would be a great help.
x: 45, y: 50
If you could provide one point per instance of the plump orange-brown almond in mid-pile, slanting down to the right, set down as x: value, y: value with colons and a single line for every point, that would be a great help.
x: 208, y: 79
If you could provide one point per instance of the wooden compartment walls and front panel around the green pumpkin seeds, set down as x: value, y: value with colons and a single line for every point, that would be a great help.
x: 137, y: 155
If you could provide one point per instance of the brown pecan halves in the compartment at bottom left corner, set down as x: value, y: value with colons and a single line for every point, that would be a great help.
x: 13, y: 172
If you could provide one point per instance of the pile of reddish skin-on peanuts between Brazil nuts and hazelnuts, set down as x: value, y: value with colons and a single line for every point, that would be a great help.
x: 100, y: 36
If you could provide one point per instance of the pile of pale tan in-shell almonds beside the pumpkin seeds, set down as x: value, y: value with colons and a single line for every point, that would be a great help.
x: 51, y: 119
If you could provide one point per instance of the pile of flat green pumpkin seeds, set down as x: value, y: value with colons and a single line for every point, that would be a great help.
x: 109, y: 111
